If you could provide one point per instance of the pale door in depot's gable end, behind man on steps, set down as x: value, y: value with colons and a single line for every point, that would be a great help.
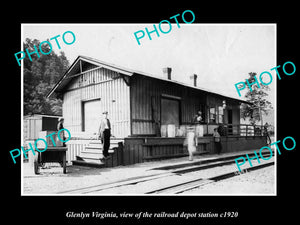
x: 91, y: 113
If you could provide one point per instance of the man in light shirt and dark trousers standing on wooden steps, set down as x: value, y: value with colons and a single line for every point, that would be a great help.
x: 104, y: 133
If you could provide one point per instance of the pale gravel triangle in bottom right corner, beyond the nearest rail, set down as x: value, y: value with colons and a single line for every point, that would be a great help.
x: 255, y: 182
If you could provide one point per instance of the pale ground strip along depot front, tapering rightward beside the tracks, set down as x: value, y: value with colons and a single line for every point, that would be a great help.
x: 52, y: 181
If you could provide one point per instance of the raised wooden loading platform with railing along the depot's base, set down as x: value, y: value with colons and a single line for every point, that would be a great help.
x: 139, y: 149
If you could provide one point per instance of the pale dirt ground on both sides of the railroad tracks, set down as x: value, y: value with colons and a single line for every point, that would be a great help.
x: 52, y: 181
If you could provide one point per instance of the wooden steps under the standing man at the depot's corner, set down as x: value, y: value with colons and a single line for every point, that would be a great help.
x: 92, y: 155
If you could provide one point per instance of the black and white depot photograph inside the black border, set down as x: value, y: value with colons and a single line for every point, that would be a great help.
x: 162, y: 117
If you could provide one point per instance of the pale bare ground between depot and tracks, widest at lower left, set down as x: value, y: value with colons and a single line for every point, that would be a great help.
x: 51, y: 180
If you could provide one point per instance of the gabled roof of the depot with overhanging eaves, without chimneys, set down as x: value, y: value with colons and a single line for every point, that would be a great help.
x: 75, y: 69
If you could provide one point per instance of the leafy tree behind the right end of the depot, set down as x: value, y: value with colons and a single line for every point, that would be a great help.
x: 258, y: 99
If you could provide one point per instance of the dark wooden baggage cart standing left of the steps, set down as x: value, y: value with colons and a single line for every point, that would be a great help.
x: 52, y: 154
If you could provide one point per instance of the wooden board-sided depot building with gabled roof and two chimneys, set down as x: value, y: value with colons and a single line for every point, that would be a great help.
x: 149, y: 115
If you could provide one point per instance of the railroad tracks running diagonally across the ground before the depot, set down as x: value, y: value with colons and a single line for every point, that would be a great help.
x: 177, y: 188
